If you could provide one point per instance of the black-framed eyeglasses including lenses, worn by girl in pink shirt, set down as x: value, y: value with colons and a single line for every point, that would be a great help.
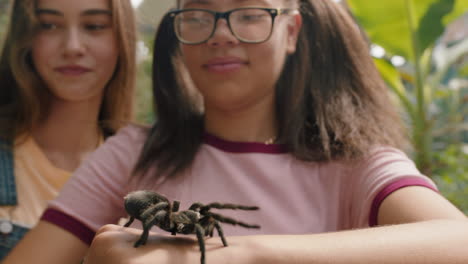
x: 248, y: 24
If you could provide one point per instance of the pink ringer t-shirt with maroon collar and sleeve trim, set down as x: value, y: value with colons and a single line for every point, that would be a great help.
x: 295, y: 197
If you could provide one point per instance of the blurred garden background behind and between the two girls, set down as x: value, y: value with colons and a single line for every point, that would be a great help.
x: 421, y: 50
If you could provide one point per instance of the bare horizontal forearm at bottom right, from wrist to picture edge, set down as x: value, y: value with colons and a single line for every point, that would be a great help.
x: 424, y: 242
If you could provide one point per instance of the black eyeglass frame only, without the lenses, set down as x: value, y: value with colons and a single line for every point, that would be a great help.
x: 274, y: 12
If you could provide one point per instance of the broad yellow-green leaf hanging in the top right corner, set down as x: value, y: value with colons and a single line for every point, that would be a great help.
x: 393, y: 24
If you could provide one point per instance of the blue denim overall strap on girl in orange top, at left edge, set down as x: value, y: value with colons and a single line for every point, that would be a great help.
x: 7, y: 176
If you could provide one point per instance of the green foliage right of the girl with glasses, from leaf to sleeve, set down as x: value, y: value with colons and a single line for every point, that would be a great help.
x: 436, y: 109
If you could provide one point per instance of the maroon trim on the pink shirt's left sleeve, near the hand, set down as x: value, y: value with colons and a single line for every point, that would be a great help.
x: 70, y: 224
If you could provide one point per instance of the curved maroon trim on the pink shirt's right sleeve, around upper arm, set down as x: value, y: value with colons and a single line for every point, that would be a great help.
x: 394, y: 186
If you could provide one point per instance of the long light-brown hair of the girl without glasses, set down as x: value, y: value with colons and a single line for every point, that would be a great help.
x: 24, y: 97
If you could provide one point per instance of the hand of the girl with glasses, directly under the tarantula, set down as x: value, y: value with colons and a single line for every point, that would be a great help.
x: 114, y: 244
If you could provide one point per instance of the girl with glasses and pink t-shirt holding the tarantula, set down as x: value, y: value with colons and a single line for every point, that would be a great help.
x: 298, y: 123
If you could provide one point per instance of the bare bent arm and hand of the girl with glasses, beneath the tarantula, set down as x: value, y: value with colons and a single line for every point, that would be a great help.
x: 419, y: 226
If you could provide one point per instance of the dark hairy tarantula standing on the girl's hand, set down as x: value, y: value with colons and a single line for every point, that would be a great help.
x: 152, y: 208
